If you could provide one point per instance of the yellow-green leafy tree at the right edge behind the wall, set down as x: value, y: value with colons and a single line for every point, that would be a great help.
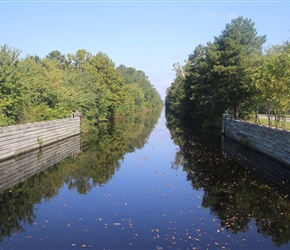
x: 272, y: 79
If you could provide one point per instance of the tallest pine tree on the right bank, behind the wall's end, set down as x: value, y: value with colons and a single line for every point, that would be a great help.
x: 234, y: 46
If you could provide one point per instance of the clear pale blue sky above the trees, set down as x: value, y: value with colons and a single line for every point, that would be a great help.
x: 148, y: 35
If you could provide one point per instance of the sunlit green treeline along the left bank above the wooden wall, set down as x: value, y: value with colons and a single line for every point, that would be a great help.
x: 36, y: 89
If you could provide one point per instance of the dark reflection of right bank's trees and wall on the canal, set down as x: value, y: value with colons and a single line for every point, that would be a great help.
x: 239, y: 185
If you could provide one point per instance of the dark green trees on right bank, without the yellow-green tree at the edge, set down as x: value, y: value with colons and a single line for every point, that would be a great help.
x: 216, y: 75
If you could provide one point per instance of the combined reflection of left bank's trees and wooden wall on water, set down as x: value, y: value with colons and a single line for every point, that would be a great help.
x: 30, y: 178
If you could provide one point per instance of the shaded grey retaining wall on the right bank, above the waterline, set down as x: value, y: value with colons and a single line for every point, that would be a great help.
x: 270, y: 141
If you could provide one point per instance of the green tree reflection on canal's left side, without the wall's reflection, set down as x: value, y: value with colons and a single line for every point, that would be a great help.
x: 103, y: 149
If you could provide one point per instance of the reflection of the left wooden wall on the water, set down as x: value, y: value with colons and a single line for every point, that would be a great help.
x: 22, y: 167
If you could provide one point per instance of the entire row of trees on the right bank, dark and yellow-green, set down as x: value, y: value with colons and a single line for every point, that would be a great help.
x: 232, y: 73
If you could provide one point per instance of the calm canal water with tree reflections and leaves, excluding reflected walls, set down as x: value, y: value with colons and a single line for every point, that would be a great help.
x: 137, y: 185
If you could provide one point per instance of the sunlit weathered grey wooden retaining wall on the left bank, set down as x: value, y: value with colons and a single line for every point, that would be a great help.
x: 18, y: 139
